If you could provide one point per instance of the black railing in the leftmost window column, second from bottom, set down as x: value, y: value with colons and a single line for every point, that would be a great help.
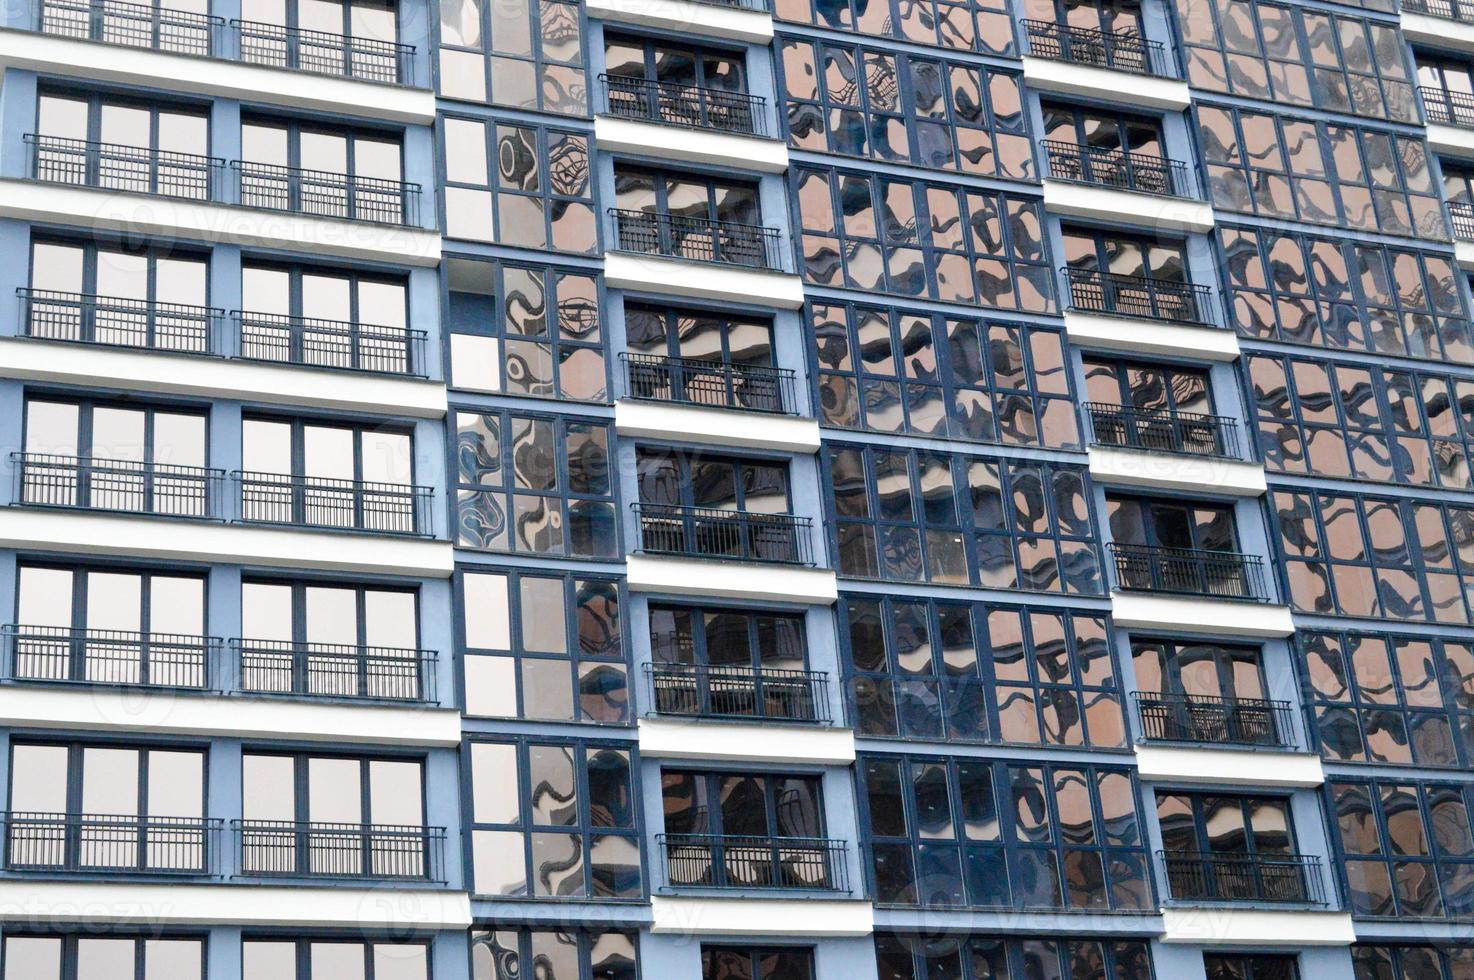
x: 108, y: 657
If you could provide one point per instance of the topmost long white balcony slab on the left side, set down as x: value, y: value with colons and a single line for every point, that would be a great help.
x: 126, y: 66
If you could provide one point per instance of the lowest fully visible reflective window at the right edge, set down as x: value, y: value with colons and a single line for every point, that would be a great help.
x: 1407, y: 848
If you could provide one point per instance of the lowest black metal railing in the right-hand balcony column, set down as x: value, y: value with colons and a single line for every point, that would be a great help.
x: 1249, y: 879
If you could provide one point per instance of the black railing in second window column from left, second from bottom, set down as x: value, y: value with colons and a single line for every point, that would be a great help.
x: 337, y: 671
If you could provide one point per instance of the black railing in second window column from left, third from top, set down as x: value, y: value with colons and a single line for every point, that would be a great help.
x: 356, y: 347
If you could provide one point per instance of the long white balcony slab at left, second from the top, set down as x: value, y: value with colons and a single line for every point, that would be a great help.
x: 144, y: 216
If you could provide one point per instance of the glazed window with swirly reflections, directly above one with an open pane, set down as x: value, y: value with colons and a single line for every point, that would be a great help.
x: 539, y: 179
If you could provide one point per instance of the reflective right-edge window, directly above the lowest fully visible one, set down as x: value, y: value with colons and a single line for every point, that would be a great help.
x: 1391, y: 701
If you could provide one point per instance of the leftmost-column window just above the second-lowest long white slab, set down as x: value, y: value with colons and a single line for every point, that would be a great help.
x: 110, y: 626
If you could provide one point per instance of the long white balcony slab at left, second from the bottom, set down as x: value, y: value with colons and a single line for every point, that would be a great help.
x: 216, y: 715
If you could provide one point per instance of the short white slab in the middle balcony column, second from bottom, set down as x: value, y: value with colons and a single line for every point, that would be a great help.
x: 767, y: 742
